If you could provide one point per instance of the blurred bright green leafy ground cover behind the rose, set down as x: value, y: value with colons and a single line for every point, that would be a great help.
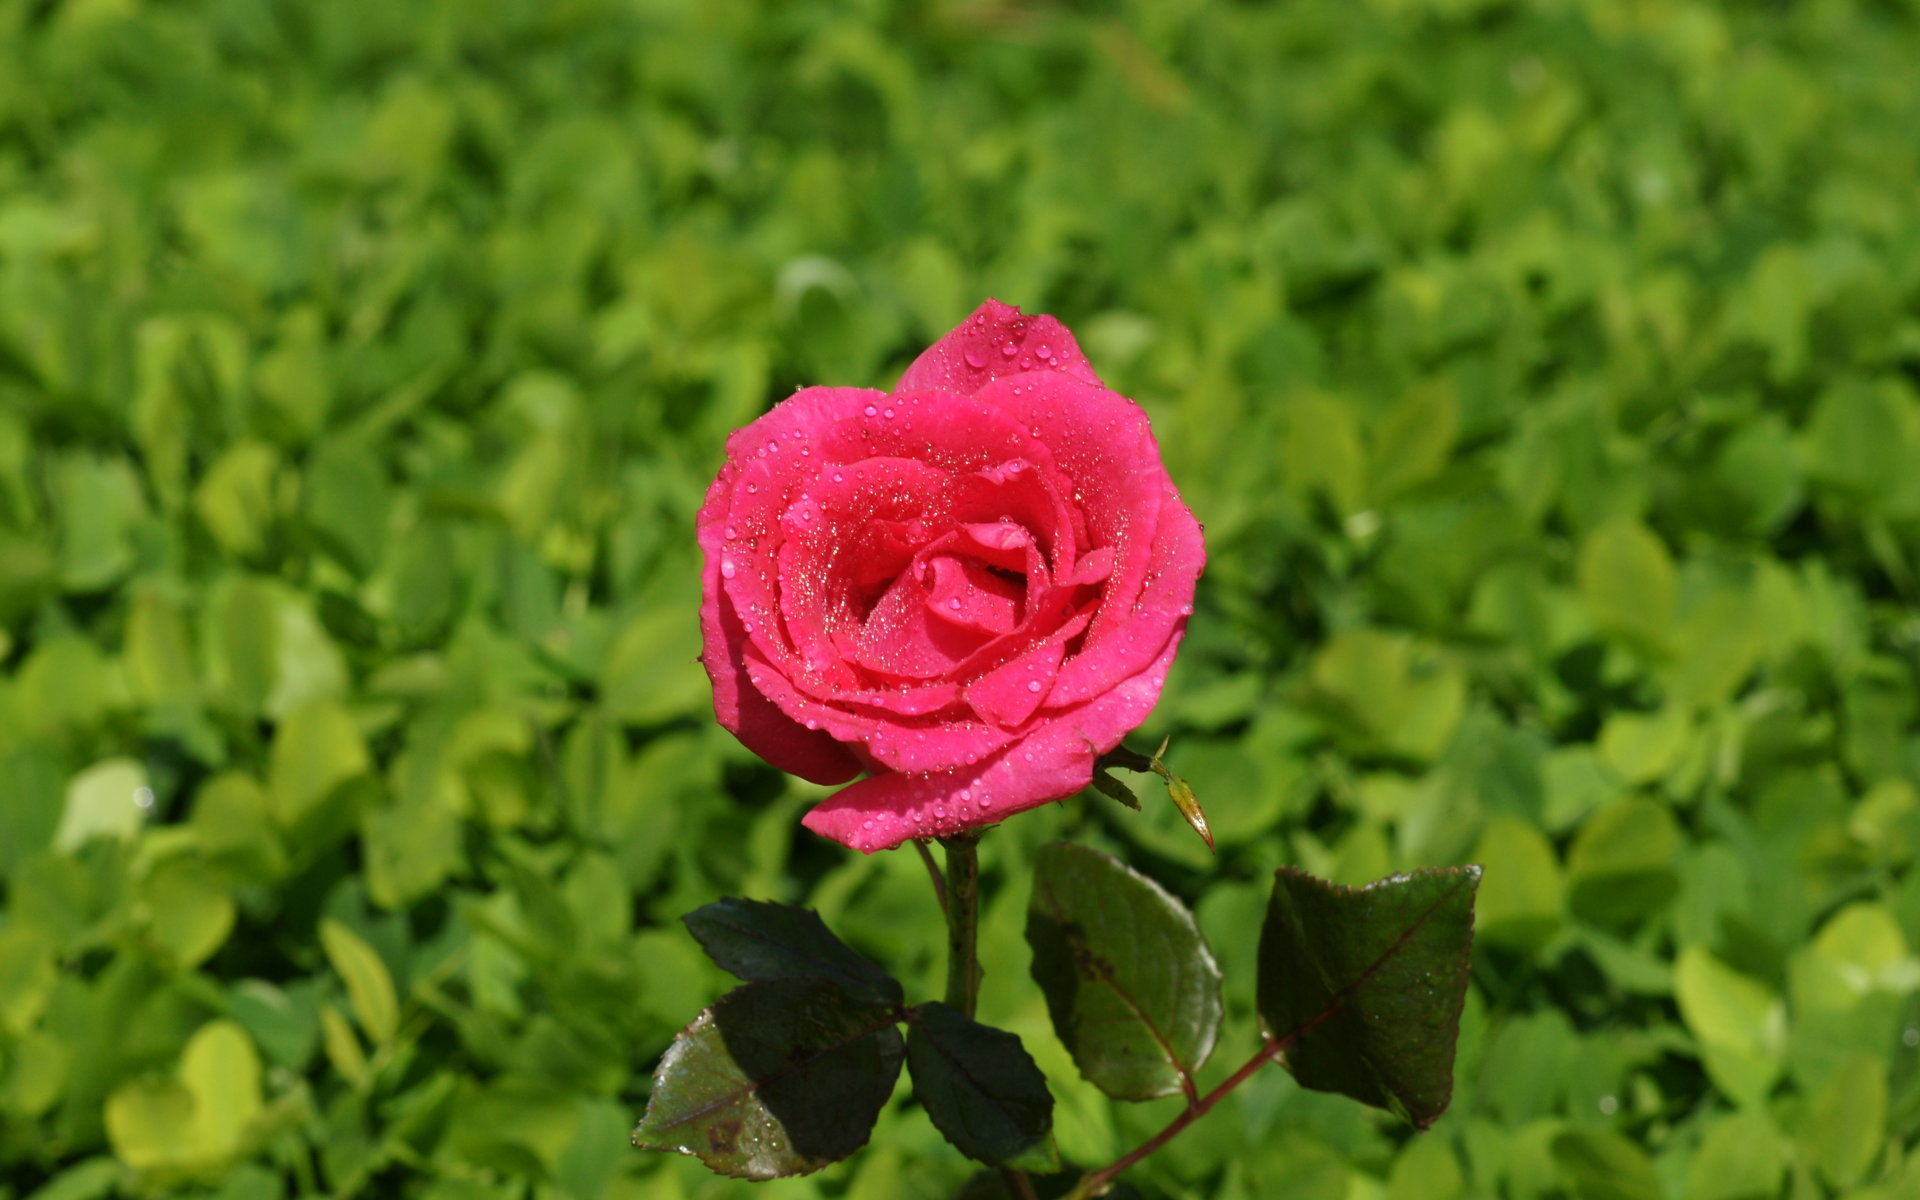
x: 1543, y: 372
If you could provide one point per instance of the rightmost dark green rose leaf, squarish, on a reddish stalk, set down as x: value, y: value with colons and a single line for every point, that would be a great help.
x: 1366, y: 984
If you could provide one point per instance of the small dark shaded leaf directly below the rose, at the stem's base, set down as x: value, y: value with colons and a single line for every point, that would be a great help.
x: 982, y: 1090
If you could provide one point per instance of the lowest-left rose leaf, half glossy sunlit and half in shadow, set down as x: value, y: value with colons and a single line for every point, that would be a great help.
x: 779, y: 1078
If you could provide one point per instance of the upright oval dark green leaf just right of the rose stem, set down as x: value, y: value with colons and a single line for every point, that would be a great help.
x: 1130, y: 980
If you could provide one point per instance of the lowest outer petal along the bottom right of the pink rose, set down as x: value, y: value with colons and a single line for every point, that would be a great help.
x: 1053, y: 763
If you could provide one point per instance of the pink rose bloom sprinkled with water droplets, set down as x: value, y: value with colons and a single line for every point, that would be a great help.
x: 969, y: 588
